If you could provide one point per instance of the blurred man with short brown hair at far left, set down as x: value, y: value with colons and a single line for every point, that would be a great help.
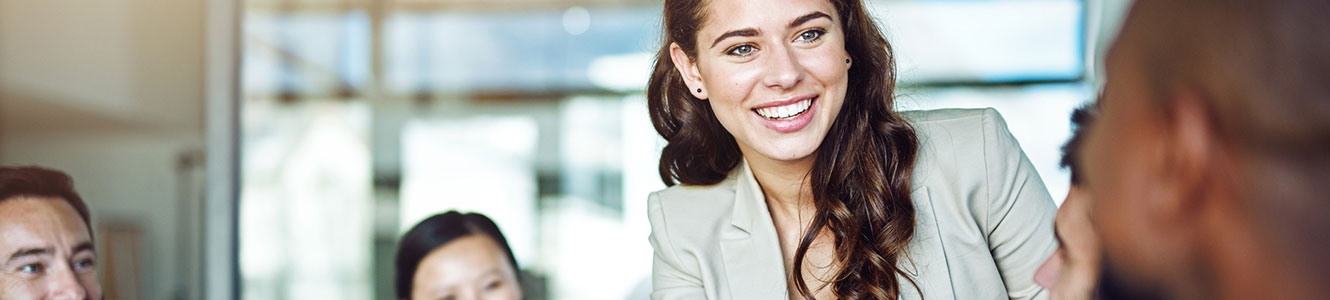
x: 46, y: 241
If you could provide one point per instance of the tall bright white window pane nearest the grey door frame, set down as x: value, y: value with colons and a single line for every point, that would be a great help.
x: 305, y: 218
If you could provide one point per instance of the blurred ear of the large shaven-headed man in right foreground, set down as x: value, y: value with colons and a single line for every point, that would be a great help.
x: 1191, y: 155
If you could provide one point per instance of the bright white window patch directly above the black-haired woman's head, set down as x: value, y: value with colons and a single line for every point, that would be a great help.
x: 481, y: 164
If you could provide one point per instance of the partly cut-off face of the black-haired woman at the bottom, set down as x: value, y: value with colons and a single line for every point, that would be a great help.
x: 470, y: 267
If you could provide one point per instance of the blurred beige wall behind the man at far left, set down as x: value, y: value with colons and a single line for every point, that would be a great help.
x: 112, y: 92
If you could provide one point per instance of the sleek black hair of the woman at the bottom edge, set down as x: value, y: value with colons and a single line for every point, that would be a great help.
x: 436, y: 233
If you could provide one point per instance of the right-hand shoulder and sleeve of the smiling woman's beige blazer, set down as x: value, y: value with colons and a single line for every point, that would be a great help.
x: 985, y: 194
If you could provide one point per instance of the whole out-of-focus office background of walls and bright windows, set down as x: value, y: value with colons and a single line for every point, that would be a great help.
x: 277, y: 149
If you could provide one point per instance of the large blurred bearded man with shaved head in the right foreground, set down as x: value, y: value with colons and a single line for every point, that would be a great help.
x: 1210, y: 159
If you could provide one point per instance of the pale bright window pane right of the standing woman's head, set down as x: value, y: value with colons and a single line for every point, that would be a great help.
x: 985, y: 42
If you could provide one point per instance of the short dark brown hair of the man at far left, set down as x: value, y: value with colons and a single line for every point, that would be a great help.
x: 33, y: 181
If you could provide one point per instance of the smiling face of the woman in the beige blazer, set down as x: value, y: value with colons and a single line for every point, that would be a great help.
x: 775, y: 74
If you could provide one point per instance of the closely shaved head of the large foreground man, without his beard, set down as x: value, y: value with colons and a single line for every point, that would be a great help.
x: 1250, y: 83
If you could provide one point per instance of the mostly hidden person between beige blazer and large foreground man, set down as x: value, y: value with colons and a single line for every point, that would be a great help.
x: 1073, y: 271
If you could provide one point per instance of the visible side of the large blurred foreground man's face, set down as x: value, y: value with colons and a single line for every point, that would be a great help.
x: 1126, y: 159
